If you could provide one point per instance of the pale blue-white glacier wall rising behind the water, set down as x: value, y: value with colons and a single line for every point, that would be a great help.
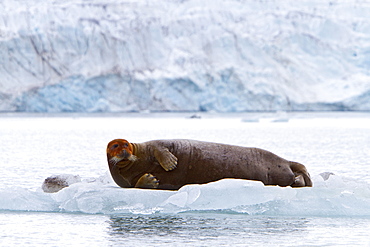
x: 211, y: 55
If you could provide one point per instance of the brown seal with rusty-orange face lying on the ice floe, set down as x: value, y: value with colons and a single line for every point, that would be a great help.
x: 171, y: 164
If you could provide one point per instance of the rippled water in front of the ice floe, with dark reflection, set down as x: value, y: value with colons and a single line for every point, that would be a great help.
x: 190, y: 229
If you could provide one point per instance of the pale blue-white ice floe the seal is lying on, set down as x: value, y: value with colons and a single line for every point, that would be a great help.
x: 335, y: 196
